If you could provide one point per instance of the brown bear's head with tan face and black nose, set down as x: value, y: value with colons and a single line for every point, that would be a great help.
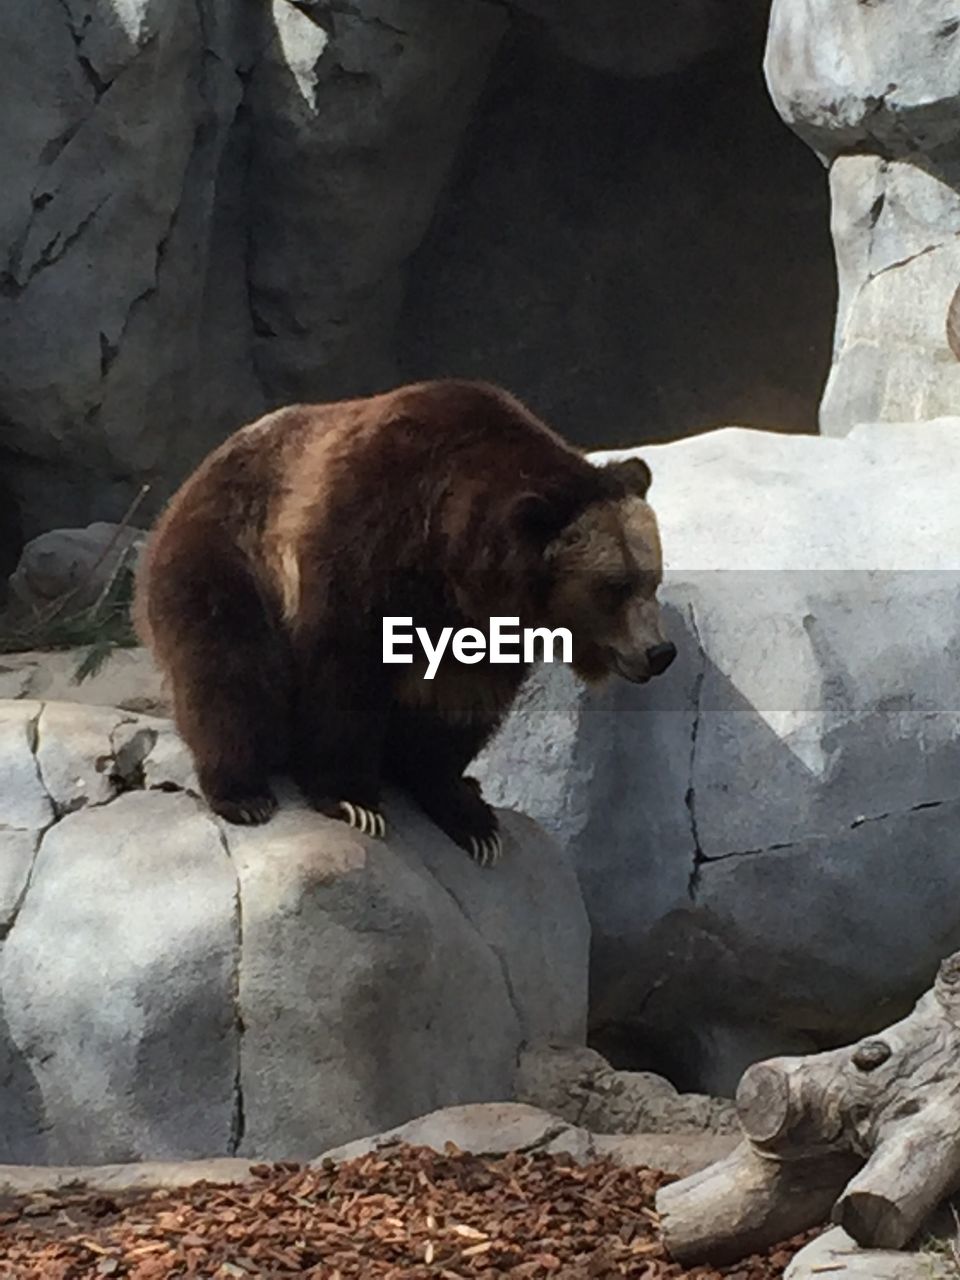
x: 605, y: 569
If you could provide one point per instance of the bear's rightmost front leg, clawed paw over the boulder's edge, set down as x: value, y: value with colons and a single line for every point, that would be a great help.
x: 427, y: 757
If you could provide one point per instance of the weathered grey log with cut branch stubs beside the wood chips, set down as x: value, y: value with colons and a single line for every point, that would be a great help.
x: 868, y: 1135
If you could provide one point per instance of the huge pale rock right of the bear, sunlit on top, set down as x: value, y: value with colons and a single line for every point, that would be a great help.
x: 766, y: 836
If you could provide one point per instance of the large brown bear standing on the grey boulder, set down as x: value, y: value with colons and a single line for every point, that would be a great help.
x: 264, y: 589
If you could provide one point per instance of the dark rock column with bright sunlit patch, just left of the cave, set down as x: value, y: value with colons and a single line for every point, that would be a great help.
x: 359, y: 109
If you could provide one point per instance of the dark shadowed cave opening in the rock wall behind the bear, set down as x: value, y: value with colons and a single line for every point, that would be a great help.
x: 638, y: 259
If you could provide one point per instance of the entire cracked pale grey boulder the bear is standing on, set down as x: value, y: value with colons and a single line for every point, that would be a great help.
x: 172, y: 988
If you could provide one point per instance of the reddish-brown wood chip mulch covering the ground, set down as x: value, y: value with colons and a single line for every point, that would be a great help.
x: 404, y: 1213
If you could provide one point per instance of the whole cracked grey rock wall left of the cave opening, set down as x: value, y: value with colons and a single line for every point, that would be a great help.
x: 207, y: 208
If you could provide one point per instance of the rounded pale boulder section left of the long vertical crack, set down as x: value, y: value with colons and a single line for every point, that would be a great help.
x: 117, y: 984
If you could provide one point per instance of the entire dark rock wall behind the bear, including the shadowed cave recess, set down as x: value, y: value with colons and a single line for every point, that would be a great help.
x: 212, y: 209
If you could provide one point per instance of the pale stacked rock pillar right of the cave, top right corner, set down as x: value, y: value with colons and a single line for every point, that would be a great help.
x: 875, y: 89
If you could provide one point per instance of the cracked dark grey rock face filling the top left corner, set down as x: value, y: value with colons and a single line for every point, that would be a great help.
x: 112, y: 267
